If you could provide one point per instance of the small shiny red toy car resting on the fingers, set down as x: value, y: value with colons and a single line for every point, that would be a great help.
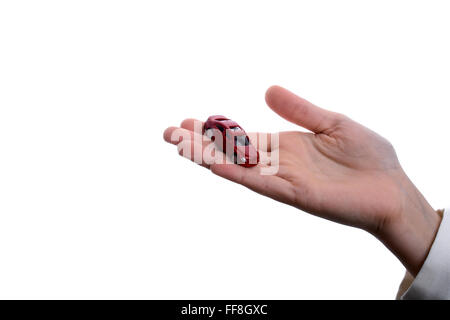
x: 234, y: 139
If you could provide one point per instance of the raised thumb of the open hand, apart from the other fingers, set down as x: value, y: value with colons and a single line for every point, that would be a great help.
x: 299, y: 111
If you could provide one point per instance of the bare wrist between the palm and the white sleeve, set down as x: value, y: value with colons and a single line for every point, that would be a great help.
x: 411, y: 233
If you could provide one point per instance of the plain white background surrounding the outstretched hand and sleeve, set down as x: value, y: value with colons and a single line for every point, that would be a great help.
x: 94, y: 204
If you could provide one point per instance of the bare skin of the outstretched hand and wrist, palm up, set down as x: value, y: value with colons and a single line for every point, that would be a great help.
x: 340, y: 171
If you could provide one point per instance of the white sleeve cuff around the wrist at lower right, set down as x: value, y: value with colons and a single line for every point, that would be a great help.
x: 433, y: 279
